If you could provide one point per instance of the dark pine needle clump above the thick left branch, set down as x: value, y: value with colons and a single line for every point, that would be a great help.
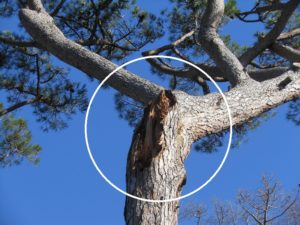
x: 119, y: 22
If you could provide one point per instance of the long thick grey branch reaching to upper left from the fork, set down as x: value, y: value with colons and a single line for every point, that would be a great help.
x: 42, y: 28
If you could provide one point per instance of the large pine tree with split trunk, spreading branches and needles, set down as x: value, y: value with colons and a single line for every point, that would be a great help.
x: 90, y: 35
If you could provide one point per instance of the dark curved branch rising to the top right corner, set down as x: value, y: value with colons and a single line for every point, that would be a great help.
x: 270, y: 38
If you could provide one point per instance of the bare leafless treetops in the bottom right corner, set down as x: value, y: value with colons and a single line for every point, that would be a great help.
x: 269, y: 204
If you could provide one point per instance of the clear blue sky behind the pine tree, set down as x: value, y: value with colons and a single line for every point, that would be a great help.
x: 65, y: 189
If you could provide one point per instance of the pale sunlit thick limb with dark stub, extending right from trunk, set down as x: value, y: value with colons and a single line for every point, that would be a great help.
x: 208, y: 114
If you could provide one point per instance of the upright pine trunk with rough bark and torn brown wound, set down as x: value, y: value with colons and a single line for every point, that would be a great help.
x: 155, y: 168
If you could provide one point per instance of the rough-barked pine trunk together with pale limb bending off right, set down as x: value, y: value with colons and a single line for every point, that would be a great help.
x: 171, y: 123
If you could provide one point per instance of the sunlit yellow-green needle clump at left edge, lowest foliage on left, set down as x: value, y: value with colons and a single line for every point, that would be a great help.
x: 15, y: 141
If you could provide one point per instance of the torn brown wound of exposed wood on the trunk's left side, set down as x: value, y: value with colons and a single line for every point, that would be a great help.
x: 148, y: 138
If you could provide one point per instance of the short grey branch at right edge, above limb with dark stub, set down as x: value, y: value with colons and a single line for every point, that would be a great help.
x: 285, y: 51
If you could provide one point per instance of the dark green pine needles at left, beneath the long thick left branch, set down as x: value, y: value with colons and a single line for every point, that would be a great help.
x: 30, y: 74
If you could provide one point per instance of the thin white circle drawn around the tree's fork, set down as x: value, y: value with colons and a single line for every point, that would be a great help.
x: 111, y: 183
